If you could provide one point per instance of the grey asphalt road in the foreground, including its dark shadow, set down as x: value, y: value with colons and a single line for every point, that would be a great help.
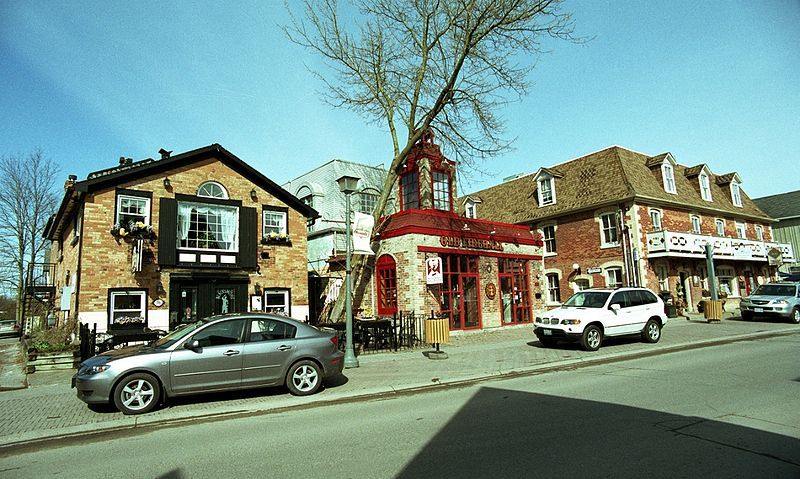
x: 724, y: 411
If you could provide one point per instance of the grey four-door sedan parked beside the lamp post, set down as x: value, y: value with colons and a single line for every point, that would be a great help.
x: 226, y: 352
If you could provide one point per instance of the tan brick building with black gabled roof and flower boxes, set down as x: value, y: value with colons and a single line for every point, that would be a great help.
x: 156, y: 243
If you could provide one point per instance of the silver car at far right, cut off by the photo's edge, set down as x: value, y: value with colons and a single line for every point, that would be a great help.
x: 777, y: 300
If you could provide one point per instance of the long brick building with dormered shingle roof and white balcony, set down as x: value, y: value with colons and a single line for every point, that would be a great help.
x: 618, y: 217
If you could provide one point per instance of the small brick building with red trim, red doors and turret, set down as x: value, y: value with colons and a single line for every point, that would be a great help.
x: 481, y: 274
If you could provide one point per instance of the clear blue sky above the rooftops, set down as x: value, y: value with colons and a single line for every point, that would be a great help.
x: 715, y: 82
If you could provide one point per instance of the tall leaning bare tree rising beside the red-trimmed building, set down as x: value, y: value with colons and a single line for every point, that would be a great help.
x: 448, y: 66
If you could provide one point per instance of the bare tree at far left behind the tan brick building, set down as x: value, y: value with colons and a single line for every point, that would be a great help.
x: 28, y: 200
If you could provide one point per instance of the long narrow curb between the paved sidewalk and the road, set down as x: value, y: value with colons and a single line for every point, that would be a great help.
x: 139, y: 424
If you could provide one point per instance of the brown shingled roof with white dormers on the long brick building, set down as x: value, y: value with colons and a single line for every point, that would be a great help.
x: 608, y: 177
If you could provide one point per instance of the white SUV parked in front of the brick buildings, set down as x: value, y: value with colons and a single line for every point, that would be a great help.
x: 589, y: 315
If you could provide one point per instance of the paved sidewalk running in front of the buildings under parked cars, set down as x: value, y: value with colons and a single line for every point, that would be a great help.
x: 47, y: 407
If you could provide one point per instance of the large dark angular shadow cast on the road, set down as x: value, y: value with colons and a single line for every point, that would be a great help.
x: 503, y: 433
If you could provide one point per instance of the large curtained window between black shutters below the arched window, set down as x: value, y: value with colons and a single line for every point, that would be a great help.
x: 208, y: 227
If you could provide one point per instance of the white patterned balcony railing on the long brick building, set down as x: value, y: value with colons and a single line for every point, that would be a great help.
x: 689, y: 245
